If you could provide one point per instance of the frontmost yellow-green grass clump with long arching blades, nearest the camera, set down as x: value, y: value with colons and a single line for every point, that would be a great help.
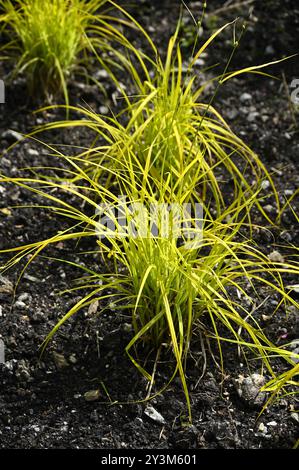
x: 171, y: 286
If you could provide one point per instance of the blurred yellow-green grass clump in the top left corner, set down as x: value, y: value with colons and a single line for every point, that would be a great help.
x: 49, y: 39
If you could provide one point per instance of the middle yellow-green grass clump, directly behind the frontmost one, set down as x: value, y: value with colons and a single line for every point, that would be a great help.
x: 166, y: 136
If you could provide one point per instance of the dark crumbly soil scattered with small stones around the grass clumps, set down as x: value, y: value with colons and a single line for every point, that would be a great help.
x: 42, y: 404
